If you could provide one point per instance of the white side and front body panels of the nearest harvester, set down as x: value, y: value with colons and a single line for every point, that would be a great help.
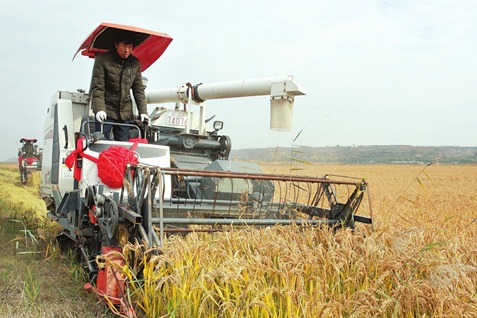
x: 66, y: 114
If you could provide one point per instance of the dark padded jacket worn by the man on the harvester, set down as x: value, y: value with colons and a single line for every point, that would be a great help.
x: 111, y: 84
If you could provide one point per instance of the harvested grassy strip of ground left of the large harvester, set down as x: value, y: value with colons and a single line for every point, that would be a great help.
x: 35, y: 279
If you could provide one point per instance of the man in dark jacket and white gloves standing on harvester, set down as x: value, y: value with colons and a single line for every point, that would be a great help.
x: 115, y: 74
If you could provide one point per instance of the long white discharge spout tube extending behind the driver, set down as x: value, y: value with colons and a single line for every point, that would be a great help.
x: 282, y: 91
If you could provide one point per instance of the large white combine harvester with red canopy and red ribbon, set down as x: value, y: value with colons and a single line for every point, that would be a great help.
x: 175, y: 172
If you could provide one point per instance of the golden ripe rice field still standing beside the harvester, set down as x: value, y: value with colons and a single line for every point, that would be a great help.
x: 419, y: 261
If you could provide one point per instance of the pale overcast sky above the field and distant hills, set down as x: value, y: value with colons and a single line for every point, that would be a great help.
x: 375, y: 72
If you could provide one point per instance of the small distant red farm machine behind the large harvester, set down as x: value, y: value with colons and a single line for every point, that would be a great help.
x: 29, y: 158
